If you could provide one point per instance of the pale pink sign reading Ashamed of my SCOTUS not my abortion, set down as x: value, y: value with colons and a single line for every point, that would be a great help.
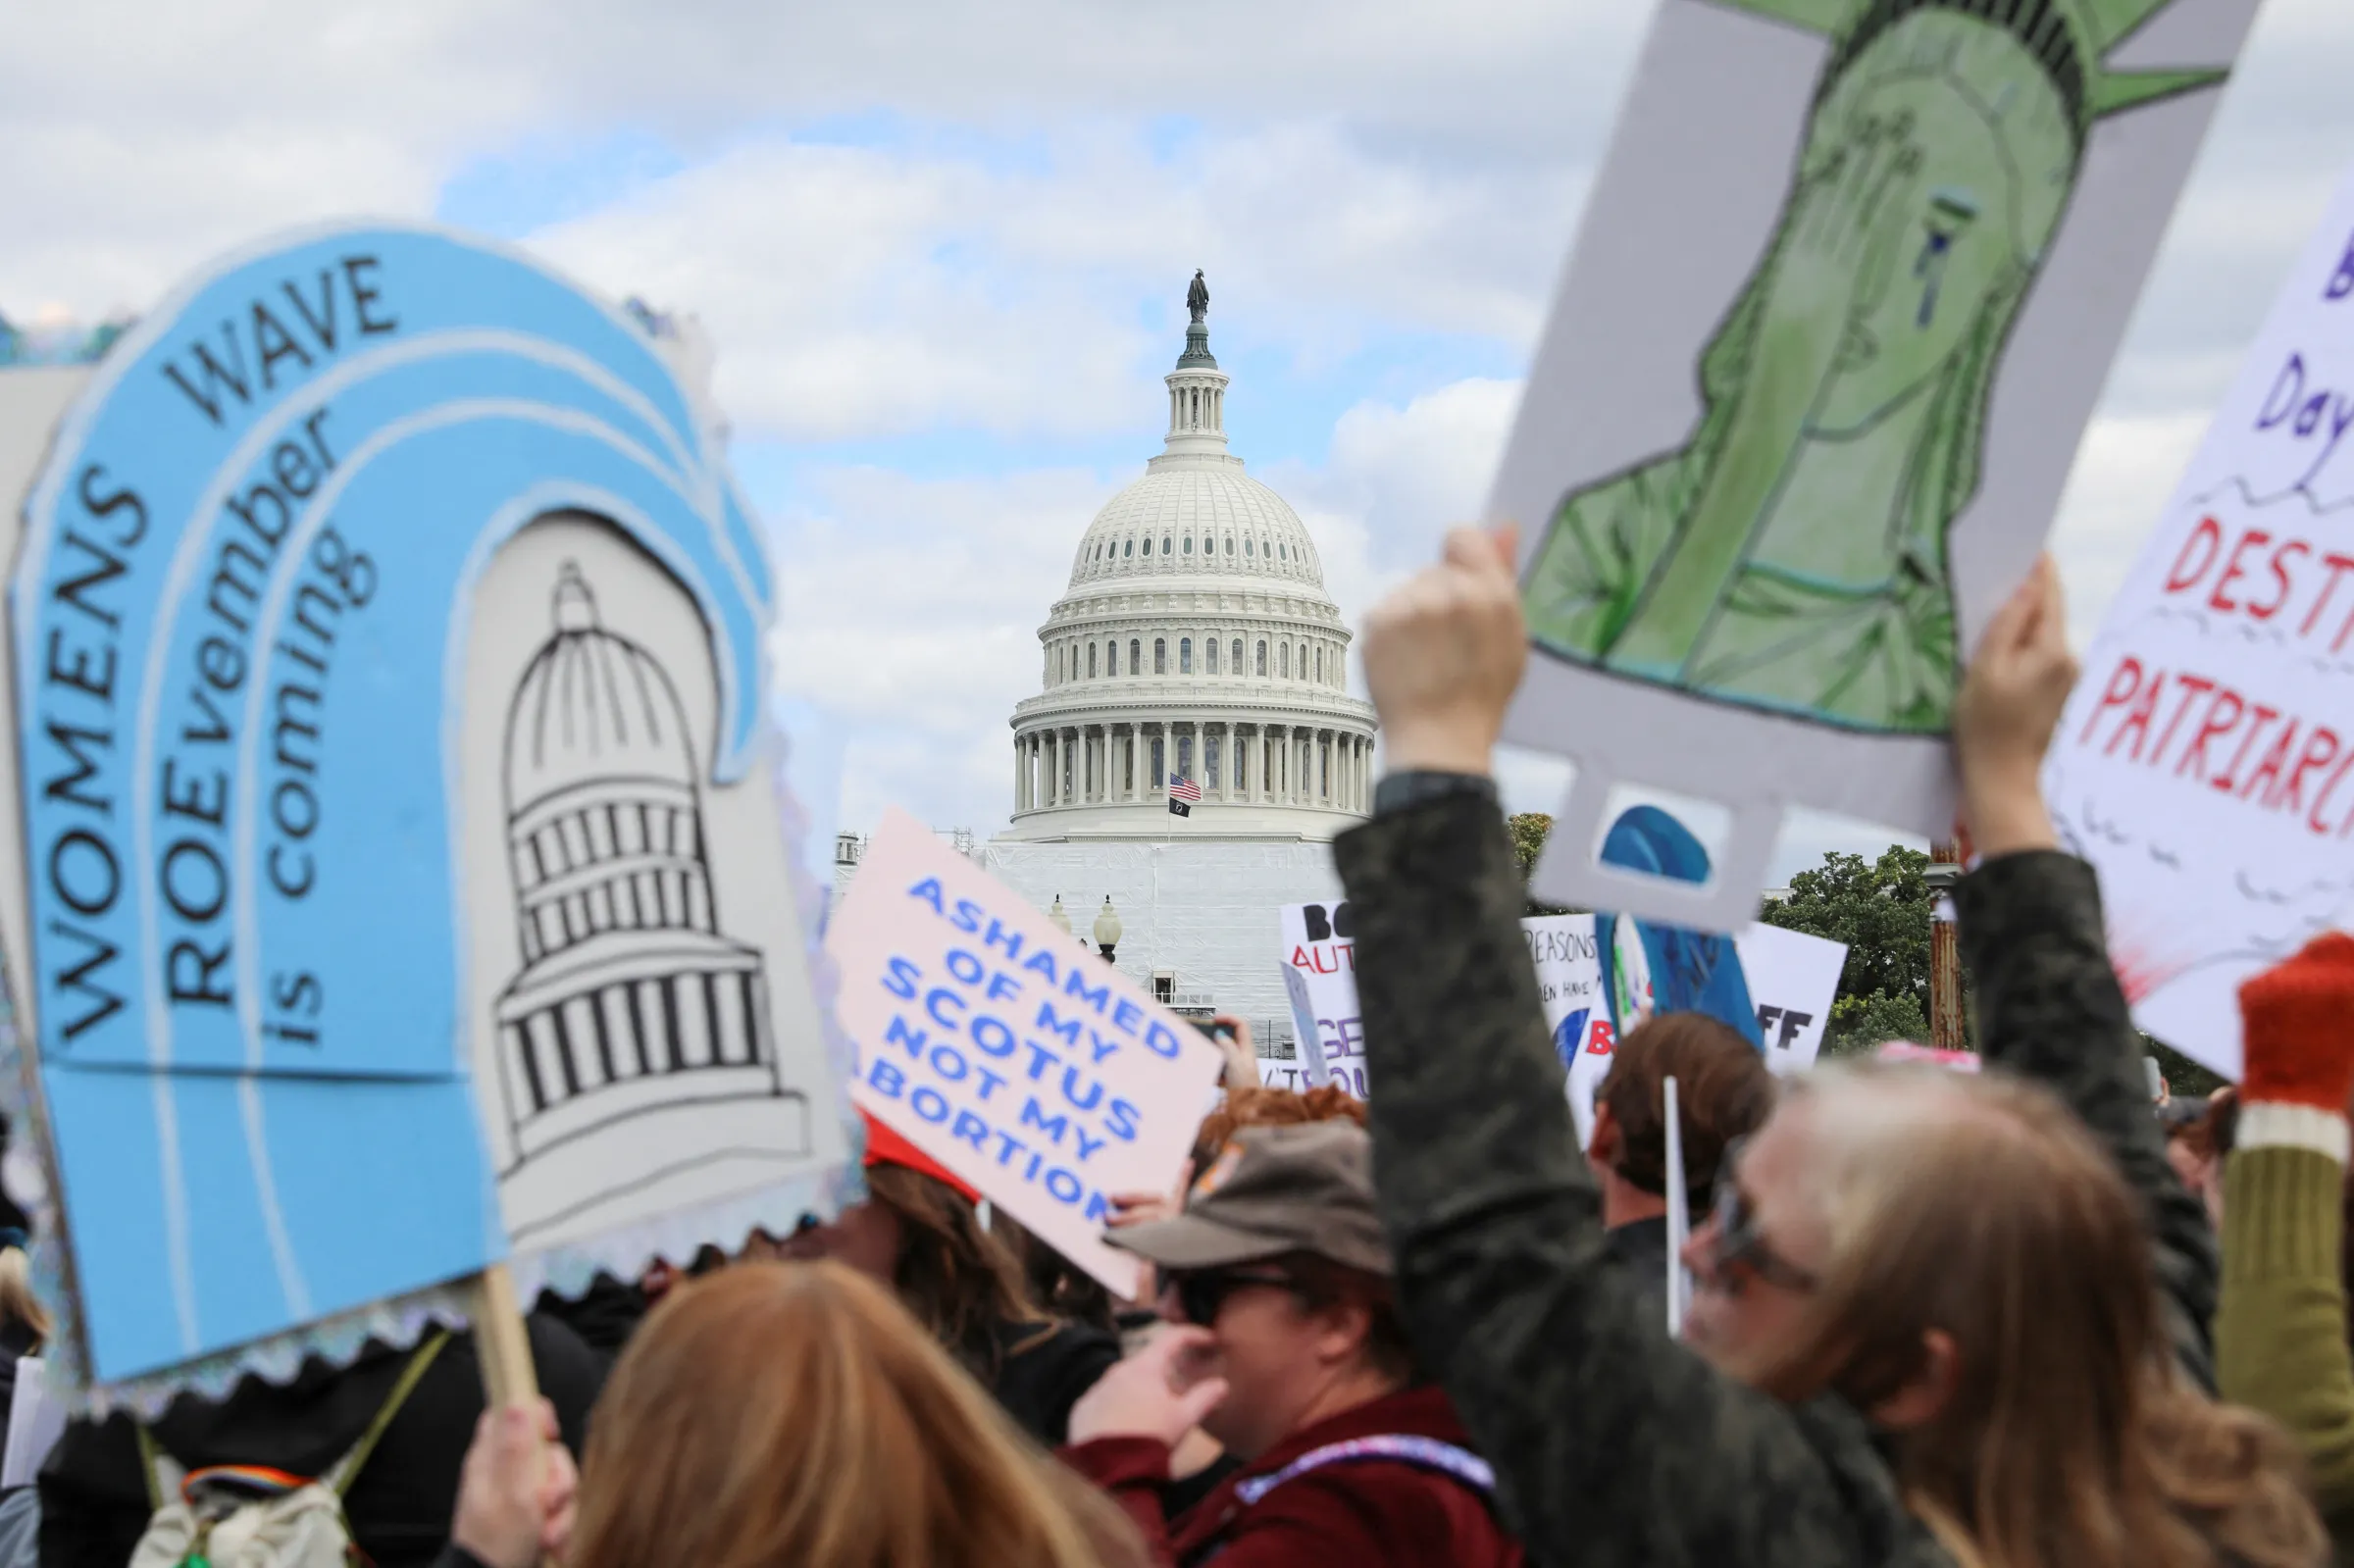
x: 1006, y: 1051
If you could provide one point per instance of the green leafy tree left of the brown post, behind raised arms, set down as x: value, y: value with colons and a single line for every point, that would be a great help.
x: 1882, y: 912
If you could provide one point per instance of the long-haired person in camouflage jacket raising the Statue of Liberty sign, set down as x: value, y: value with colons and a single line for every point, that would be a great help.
x: 1939, y: 1317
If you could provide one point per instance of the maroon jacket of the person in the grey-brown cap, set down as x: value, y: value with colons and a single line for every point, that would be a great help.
x: 1357, y: 1513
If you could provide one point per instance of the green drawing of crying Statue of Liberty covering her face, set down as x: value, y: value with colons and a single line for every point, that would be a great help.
x: 1793, y: 554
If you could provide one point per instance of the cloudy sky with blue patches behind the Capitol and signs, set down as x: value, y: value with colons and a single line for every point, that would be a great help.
x: 943, y: 253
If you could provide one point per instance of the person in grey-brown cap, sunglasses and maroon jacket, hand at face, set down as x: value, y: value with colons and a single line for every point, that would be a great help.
x: 1282, y: 1341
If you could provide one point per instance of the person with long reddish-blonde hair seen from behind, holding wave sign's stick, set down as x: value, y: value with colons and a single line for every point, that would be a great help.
x: 797, y: 1414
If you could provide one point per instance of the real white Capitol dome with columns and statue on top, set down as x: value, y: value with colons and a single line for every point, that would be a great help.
x: 1195, y: 642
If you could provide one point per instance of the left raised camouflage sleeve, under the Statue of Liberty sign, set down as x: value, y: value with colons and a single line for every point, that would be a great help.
x: 1611, y: 1442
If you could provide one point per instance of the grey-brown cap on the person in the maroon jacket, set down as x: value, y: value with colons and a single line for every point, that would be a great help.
x: 1270, y: 1192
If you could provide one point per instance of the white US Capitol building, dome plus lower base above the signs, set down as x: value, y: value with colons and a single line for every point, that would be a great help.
x: 1195, y: 642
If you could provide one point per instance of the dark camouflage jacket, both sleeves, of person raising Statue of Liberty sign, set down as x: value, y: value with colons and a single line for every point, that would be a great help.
x: 1616, y: 1444
